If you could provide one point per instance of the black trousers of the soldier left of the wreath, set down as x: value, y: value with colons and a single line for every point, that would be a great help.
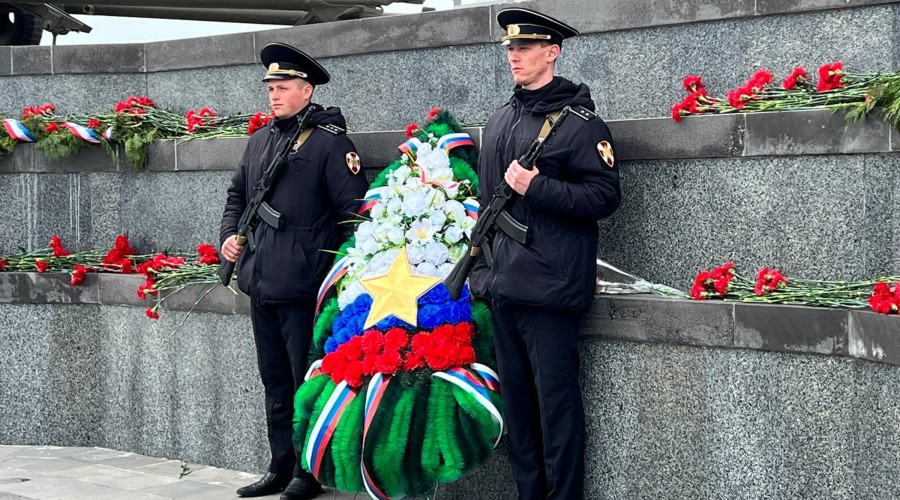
x: 283, y: 334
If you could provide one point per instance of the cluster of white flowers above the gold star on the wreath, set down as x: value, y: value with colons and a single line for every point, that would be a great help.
x: 420, y: 208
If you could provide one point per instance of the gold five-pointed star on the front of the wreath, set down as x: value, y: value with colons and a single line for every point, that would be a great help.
x: 397, y: 292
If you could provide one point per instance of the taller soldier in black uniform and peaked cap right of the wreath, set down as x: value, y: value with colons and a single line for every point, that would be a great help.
x: 540, y: 290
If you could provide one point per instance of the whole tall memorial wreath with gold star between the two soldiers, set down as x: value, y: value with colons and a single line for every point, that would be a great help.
x: 405, y: 393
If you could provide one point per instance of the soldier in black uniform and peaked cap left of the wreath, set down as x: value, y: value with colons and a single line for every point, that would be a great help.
x: 319, y: 188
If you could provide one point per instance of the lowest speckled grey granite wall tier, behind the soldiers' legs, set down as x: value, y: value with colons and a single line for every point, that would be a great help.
x: 664, y: 420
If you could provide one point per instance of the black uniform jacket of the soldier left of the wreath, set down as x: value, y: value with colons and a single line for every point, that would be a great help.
x: 316, y: 190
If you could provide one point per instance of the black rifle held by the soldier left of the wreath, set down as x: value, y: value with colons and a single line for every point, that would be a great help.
x: 257, y: 209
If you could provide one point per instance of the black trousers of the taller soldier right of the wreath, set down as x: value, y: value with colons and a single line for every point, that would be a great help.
x: 537, y: 354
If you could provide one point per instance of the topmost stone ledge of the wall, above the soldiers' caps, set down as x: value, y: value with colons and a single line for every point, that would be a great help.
x: 466, y: 26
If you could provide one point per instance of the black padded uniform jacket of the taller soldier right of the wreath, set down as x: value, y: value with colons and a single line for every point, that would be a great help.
x: 576, y: 187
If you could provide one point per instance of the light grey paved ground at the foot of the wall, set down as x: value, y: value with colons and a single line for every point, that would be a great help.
x: 49, y: 472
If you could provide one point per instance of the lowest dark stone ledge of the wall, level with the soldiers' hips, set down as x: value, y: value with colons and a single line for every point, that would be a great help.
x: 795, y: 329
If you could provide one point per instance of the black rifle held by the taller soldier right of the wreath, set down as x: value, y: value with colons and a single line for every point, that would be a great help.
x: 495, y: 216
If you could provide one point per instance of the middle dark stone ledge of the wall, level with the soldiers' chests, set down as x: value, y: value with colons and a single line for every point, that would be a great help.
x: 788, y: 133
